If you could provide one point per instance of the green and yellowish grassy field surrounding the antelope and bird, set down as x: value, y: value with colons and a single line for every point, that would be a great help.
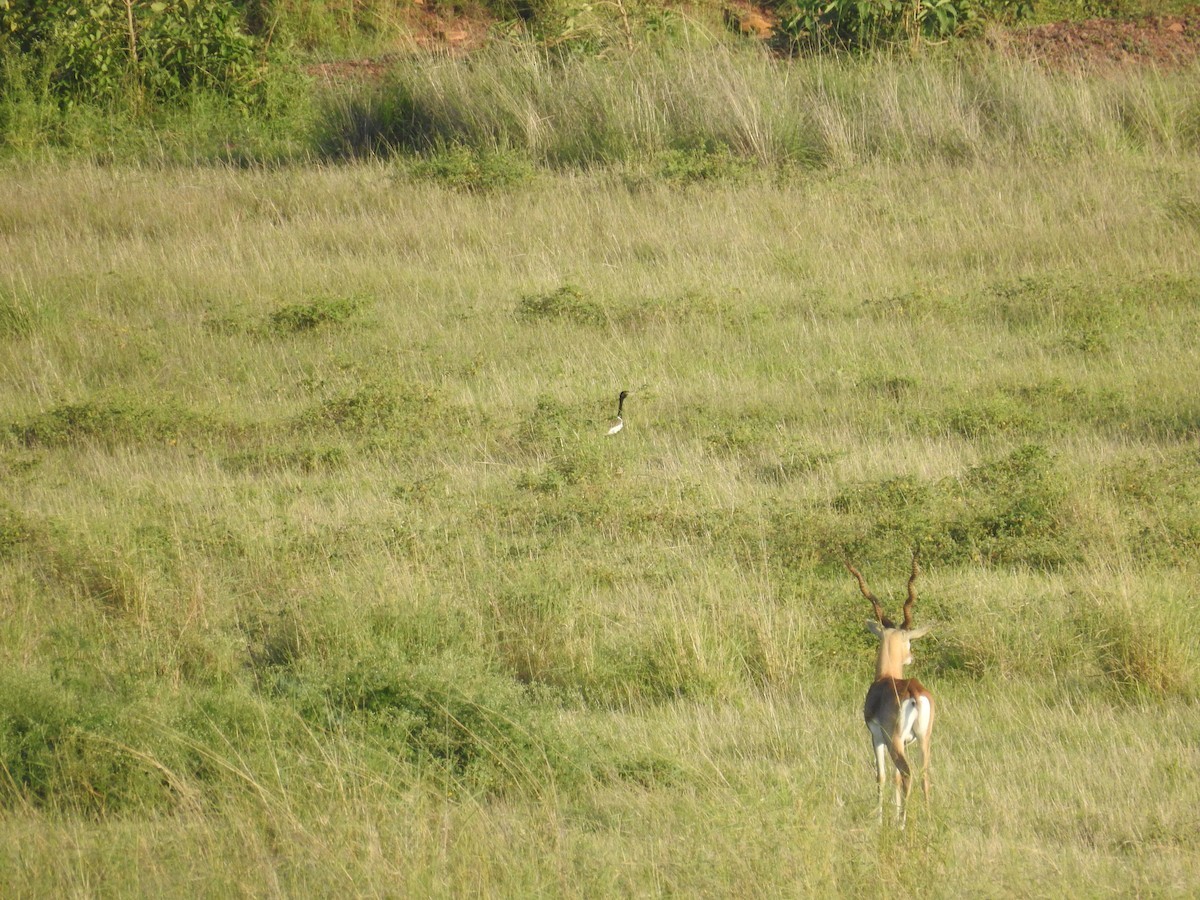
x: 319, y: 577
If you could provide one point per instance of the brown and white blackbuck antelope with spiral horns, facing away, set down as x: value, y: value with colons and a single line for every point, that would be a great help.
x: 898, y: 711
